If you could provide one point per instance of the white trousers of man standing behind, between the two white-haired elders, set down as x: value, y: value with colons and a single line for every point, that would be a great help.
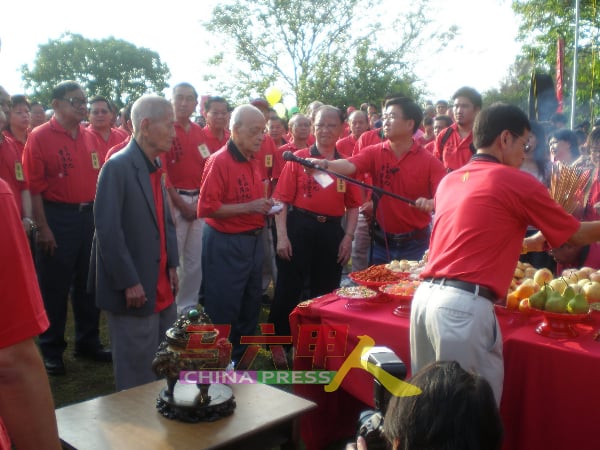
x: 189, y: 244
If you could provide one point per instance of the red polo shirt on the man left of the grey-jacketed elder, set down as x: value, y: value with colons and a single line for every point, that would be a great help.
x: 60, y: 167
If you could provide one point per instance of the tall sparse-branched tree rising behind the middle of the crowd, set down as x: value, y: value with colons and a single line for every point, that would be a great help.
x: 317, y: 50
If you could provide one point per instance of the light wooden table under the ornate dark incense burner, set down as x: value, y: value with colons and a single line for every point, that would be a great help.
x: 264, y: 416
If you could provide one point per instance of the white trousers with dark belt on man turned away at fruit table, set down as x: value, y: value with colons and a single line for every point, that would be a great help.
x: 449, y: 324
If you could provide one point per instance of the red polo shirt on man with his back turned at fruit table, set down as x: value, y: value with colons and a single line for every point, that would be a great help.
x: 482, y: 211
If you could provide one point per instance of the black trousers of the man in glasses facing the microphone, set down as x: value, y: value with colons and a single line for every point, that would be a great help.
x: 314, y: 258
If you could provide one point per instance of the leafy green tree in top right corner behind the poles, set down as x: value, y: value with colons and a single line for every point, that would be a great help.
x: 543, y: 22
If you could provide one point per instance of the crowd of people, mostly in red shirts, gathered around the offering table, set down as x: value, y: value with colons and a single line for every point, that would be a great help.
x: 146, y: 213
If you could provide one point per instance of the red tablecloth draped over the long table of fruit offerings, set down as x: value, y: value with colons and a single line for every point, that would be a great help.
x: 551, y: 397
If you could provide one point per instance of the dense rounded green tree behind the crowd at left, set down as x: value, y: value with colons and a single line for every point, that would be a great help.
x: 110, y: 67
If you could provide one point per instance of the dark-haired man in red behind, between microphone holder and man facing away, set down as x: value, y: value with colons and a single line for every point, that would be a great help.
x: 454, y: 145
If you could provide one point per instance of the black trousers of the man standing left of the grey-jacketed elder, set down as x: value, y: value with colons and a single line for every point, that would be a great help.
x: 67, y: 271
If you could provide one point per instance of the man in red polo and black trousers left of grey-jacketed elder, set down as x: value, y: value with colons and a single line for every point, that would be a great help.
x: 62, y: 163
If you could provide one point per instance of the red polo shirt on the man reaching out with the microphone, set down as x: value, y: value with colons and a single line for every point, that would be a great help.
x: 415, y: 174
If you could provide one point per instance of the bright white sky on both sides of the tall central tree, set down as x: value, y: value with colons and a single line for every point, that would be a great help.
x: 479, y: 57
